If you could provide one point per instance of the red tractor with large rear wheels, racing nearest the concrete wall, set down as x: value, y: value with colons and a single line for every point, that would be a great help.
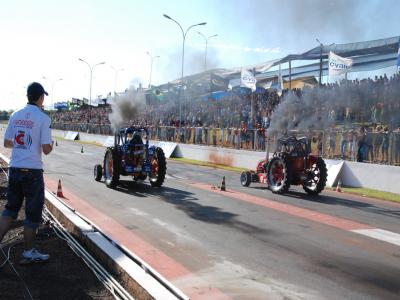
x: 292, y: 163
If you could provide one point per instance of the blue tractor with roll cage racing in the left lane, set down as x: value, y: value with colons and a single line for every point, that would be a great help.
x: 130, y: 156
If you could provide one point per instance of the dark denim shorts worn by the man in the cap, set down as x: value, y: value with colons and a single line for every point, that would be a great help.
x: 25, y: 184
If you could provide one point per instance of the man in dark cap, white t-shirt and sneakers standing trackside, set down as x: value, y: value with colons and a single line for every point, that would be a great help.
x: 28, y: 134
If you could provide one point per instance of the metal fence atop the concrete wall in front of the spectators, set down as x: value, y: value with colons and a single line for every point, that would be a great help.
x: 378, y: 147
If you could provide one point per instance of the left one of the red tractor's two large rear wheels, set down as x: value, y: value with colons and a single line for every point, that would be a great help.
x: 279, y: 175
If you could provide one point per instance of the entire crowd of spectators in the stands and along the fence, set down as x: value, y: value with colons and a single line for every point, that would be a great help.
x: 360, y: 115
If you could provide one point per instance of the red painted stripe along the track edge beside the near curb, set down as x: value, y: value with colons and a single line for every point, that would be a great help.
x: 166, y: 266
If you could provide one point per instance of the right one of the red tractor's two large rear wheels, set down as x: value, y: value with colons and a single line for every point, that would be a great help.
x: 317, y: 176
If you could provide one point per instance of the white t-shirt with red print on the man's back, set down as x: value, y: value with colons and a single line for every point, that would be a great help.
x: 29, y: 129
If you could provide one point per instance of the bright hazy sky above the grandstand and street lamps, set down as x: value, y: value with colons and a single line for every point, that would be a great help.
x: 43, y: 40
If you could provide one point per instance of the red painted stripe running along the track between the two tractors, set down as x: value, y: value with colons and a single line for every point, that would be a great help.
x: 286, y: 208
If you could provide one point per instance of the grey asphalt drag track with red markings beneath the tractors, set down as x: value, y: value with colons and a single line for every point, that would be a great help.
x: 246, y: 243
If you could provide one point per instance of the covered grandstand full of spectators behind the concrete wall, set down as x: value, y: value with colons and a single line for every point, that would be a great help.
x: 217, y: 111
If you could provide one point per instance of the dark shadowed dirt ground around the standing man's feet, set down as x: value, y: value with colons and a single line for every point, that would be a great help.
x: 64, y: 276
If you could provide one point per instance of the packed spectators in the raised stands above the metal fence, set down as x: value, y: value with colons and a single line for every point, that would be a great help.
x: 375, y: 101
